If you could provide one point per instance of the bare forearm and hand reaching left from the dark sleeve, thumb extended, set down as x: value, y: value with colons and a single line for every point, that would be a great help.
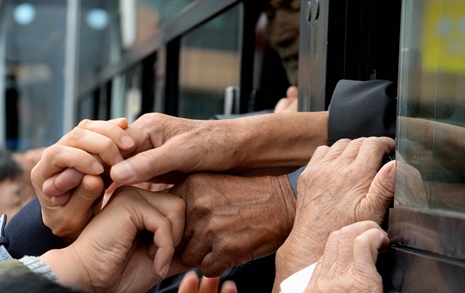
x: 167, y: 148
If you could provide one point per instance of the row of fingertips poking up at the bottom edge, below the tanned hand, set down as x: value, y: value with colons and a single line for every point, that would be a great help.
x: 190, y: 284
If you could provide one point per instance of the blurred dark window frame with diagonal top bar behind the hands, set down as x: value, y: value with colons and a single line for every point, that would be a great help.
x: 165, y: 46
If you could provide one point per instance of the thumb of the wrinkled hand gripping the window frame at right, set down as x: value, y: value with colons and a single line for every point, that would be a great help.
x: 380, y: 194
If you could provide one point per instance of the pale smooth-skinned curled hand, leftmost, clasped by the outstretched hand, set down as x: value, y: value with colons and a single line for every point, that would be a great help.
x: 68, y: 178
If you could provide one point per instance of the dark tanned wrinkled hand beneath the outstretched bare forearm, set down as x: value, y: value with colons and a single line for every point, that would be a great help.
x: 231, y: 220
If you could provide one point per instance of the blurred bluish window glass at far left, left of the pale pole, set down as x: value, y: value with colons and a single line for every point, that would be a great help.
x: 32, y: 41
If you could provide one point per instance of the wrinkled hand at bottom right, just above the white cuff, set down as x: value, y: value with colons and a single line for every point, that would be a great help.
x: 349, y: 261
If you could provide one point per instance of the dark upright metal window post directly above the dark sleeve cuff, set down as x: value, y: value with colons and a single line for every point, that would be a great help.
x: 339, y: 39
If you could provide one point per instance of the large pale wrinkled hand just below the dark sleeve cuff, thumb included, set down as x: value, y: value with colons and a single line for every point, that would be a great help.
x: 341, y: 185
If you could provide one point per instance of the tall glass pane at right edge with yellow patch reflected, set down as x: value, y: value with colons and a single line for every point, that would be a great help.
x: 431, y: 133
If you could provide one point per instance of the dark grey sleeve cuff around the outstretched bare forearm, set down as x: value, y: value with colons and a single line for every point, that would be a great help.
x: 362, y: 109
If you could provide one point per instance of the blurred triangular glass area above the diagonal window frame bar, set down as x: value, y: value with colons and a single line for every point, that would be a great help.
x: 107, y: 30
